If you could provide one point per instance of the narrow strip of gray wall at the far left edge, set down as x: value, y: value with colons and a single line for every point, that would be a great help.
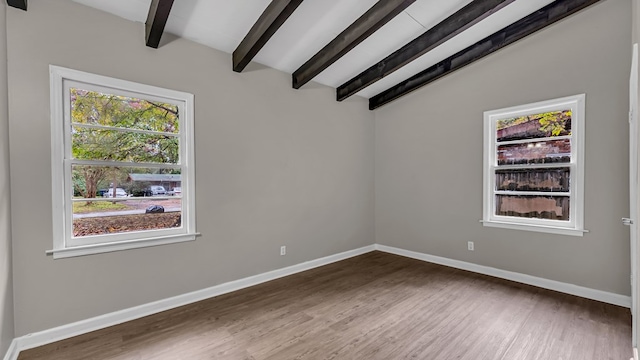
x: 6, y: 290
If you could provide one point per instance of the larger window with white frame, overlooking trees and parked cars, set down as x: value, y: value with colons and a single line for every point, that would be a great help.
x: 115, y: 144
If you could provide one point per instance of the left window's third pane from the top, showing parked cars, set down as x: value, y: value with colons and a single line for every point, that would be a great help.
x: 99, y: 181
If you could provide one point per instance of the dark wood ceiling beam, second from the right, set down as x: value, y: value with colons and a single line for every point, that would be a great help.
x: 453, y: 25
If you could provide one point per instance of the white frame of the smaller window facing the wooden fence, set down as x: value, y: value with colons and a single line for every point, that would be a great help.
x: 575, y: 225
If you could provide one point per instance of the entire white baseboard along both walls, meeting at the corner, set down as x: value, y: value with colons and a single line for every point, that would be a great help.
x: 100, y: 322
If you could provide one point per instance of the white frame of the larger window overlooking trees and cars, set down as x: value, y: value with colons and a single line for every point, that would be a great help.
x: 64, y: 244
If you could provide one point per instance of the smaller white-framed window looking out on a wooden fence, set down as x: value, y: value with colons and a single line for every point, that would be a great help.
x: 533, y: 166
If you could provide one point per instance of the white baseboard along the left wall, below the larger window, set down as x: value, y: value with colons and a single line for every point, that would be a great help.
x: 118, y: 317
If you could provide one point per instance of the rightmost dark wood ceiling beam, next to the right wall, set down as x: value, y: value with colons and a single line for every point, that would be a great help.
x: 538, y: 20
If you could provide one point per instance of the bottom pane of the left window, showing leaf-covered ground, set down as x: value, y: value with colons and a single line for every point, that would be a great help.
x: 125, y: 215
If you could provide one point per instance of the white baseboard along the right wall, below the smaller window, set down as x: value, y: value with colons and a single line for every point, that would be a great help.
x: 607, y: 297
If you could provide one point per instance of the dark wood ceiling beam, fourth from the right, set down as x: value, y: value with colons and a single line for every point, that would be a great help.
x: 269, y: 22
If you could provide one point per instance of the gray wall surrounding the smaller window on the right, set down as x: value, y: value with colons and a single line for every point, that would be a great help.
x: 428, y: 159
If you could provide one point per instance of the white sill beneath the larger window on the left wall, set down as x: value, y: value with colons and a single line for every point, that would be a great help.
x: 118, y: 246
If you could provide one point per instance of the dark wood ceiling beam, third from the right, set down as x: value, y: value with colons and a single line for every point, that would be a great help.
x: 378, y: 15
